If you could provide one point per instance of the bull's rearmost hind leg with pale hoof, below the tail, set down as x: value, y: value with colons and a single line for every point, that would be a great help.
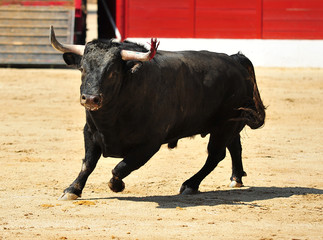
x: 235, y: 150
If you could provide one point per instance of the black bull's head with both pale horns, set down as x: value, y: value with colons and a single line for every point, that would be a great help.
x: 101, y: 65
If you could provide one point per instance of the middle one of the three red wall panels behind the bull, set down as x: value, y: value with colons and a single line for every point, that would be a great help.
x: 227, y: 19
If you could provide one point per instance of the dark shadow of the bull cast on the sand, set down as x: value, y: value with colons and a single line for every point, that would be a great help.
x: 242, y: 196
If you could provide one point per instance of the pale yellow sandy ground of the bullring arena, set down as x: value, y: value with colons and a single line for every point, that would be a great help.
x: 41, y: 149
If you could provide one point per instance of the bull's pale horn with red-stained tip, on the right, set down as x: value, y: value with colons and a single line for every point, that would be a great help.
x: 140, y: 56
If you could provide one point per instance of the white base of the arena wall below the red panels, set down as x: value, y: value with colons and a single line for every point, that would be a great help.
x: 263, y: 53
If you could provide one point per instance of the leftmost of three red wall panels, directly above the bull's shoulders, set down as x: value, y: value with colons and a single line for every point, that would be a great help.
x: 160, y: 18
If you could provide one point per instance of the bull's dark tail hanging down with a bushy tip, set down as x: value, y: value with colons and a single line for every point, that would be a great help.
x: 254, y: 114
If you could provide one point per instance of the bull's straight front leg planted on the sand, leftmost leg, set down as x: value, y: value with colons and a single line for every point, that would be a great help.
x: 92, y: 155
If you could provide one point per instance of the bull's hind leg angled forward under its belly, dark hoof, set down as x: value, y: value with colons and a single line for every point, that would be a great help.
x: 216, y: 149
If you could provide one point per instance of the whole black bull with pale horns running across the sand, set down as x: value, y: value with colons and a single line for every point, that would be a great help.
x: 133, y: 107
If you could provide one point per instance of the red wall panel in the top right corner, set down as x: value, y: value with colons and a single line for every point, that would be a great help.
x: 297, y: 19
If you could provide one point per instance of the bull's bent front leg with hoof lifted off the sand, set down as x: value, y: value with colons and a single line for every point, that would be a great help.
x: 134, y: 160
